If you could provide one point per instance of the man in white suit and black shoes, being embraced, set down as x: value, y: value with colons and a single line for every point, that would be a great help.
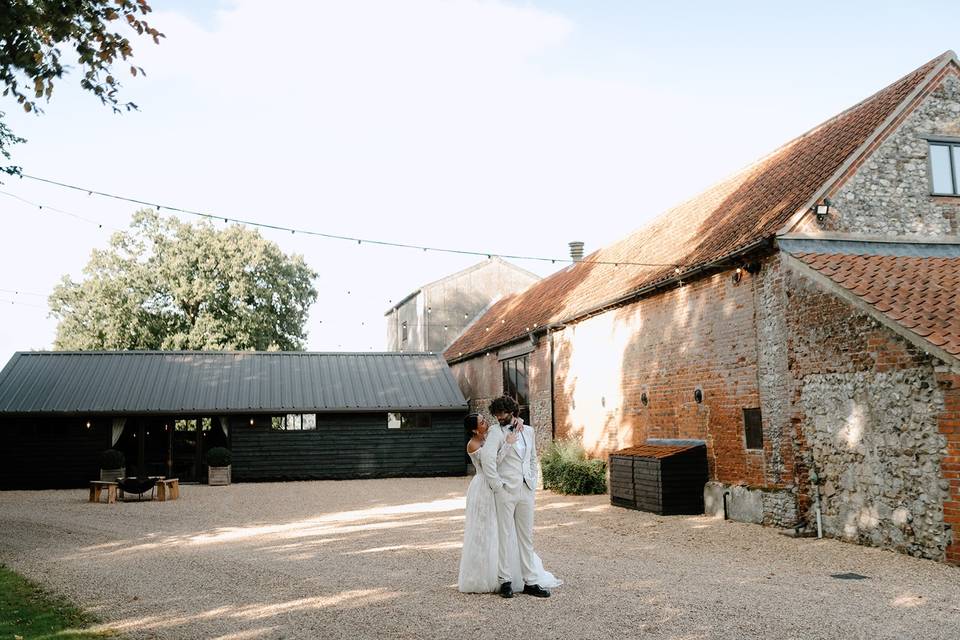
x: 513, y: 477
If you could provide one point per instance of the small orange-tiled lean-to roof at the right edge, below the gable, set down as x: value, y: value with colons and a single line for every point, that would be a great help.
x: 921, y: 294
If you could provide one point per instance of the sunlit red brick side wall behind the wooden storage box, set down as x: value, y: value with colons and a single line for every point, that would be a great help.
x: 699, y: 335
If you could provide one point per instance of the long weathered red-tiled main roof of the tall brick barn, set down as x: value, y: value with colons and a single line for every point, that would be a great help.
x: 733, y: 215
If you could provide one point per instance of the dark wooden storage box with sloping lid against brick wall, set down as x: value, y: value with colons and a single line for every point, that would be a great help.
x: 664, y: 478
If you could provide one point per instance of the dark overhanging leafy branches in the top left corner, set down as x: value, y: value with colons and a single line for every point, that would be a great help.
x: 34, y: 34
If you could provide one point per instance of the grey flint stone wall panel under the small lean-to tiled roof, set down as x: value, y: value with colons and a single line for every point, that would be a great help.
x: 876, y: 447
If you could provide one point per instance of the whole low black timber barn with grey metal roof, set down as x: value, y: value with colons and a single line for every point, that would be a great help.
x: 284, y: 415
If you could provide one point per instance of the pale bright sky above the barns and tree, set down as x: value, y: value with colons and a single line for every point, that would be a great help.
x: 492, y: 126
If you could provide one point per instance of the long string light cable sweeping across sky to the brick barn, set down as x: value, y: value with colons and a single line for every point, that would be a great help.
x: 308, y: 232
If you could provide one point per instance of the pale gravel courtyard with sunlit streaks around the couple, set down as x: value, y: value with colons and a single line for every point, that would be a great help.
x: 379, y: 558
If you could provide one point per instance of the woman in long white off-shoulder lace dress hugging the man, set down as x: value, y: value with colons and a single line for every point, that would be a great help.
x: 478, y: 563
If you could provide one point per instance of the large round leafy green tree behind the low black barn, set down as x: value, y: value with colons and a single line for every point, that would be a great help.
x: 167, y: 284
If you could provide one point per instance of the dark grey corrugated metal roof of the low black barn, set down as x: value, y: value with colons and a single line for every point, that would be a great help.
x: 191, y: 382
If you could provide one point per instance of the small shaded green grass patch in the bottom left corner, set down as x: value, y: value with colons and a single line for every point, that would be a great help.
x: 29, y: 612
